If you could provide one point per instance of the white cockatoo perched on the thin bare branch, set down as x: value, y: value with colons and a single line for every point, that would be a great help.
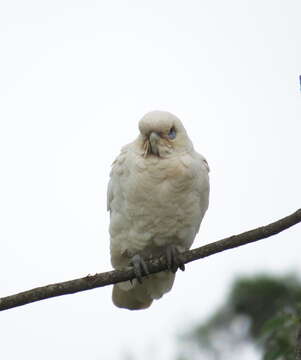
x: 157, y: 196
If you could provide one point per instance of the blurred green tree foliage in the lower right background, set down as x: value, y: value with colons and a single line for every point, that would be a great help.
x: 263, y: 311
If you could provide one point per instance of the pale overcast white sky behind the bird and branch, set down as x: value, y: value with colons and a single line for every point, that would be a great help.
x: 75, y: 78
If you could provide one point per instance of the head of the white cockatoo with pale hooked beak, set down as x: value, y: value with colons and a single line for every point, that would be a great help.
x: 162, y: 134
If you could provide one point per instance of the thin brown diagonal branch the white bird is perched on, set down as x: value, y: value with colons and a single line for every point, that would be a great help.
x: 157, y: 265
